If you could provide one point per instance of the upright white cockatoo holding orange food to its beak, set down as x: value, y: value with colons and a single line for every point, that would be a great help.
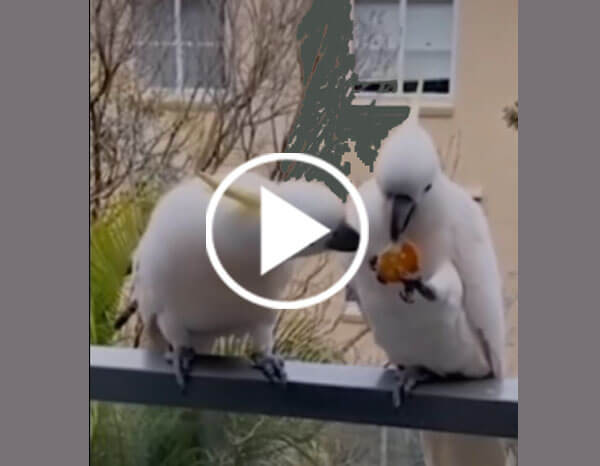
x: 454, y: 324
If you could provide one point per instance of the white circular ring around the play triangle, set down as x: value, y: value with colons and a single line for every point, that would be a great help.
x: 304, y: 302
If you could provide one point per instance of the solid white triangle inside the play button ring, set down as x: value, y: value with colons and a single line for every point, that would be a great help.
x: 284, y: 230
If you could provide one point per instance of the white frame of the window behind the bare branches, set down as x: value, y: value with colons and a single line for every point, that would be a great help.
x: 180, y: 93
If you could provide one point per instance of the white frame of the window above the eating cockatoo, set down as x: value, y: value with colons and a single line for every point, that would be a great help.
x: 431, y: 104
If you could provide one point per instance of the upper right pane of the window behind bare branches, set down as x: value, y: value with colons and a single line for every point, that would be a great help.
x: 201, y: 21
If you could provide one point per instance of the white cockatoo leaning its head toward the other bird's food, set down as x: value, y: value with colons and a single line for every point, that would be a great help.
x: 178, y: 292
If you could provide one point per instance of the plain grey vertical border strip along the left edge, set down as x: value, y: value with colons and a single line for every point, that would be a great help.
x: 44, y: 284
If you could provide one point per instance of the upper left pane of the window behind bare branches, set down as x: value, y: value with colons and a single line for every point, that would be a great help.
x: 153, y: 20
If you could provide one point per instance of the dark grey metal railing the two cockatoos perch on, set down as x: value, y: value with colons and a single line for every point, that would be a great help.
x: 330, y: 392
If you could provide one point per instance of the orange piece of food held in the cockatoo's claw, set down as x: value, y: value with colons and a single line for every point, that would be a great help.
x: 398, y: 263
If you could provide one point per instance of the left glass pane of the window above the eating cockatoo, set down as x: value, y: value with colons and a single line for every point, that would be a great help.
x: 377, y: 35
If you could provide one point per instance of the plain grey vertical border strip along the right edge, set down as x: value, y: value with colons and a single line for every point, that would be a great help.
x: 558, y: 257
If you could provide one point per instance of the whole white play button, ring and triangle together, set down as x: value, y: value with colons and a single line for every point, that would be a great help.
x: 285, y: 231
